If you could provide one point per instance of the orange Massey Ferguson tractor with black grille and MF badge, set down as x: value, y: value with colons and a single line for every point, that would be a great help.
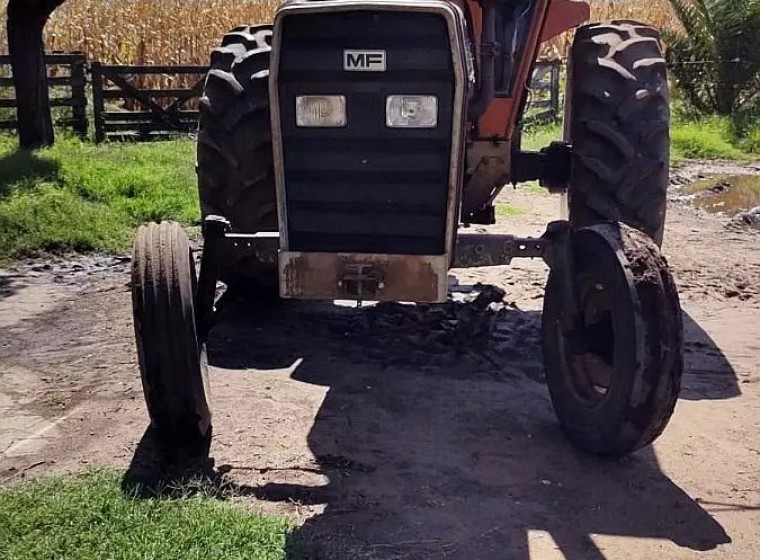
x: 343, y: 151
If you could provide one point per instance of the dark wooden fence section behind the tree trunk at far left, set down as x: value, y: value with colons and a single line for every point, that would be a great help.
x: 71, y: 83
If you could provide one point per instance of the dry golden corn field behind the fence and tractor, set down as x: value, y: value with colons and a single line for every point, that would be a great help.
x: 184, y: 31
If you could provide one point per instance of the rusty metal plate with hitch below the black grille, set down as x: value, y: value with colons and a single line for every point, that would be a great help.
x: 328, y: 276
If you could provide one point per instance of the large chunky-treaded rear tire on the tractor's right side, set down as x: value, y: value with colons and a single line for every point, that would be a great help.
x: 619, y: 120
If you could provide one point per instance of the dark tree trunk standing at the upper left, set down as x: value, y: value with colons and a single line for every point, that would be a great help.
x: 26, y: 21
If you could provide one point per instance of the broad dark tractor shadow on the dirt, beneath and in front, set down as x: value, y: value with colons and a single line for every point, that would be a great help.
x: 439, y: 441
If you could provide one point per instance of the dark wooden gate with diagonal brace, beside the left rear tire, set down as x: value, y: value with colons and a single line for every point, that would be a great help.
x: 160, y: 112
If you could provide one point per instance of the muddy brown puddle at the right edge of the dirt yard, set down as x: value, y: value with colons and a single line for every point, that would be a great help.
x: 727, y: 194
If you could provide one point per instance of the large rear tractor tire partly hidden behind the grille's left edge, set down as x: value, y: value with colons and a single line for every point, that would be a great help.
x: 235, y: 166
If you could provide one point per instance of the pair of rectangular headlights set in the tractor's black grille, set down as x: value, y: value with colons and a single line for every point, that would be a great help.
x: 401, y: 111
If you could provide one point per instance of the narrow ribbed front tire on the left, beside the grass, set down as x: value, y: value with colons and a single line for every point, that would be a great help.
x: 172, y: 361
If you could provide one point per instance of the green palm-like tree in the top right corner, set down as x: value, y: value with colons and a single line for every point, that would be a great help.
x: 715, y: 57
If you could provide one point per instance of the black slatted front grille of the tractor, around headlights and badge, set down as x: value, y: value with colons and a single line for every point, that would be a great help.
x: 366, y: 188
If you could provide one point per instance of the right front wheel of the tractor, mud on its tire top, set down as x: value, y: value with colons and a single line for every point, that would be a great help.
x: 614, y: 380
